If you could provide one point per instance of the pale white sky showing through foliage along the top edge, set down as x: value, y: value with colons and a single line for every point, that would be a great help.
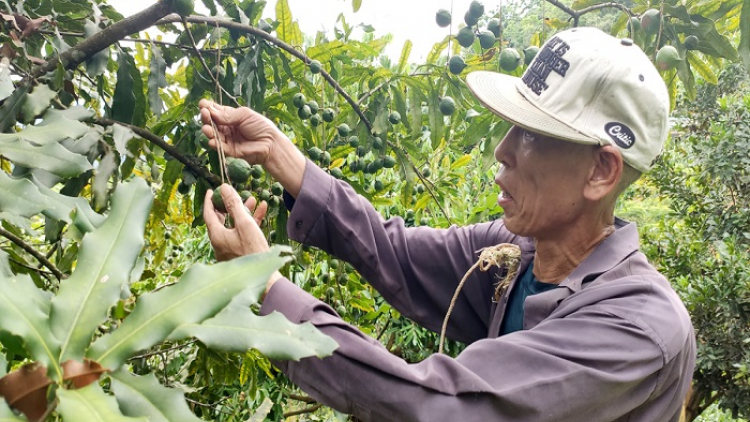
x: 405, y: 19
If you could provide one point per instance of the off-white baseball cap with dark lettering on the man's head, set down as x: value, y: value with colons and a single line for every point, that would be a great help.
x: 588, y: 87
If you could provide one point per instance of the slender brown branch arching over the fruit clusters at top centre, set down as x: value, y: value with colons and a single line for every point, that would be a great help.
x: 277, y: 42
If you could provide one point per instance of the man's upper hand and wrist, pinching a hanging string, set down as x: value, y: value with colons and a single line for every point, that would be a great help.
x: 250, y: 136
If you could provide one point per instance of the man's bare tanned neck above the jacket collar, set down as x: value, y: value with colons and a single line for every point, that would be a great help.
x: 555, y: 259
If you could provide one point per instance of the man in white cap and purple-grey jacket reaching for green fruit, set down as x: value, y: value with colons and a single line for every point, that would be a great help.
x: 587, y: 331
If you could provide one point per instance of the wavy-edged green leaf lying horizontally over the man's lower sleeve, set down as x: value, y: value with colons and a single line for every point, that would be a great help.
x: 238, y: 329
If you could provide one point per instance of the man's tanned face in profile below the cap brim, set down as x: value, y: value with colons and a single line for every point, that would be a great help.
x: 542, y: 181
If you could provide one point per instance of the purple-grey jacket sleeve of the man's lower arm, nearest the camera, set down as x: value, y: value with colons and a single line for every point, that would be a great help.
x: 589, y: 363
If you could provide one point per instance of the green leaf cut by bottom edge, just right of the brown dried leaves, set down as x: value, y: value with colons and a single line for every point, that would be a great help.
x: 144, y: 396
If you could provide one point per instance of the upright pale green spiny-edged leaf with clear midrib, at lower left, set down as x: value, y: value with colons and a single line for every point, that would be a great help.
x: 104, y: 263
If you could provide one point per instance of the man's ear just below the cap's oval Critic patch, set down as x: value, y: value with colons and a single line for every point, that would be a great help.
x: 605, y: 174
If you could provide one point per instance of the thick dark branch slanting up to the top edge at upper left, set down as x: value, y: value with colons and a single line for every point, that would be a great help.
x: 110, y: 35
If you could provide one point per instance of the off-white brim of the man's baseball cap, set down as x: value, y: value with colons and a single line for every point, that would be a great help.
x: 499, y: 93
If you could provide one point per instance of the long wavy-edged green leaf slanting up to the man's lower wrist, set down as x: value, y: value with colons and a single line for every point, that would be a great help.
x: 201, y: 293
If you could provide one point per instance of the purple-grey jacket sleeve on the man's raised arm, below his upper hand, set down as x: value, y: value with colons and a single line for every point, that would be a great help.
x: 415, y: 269
